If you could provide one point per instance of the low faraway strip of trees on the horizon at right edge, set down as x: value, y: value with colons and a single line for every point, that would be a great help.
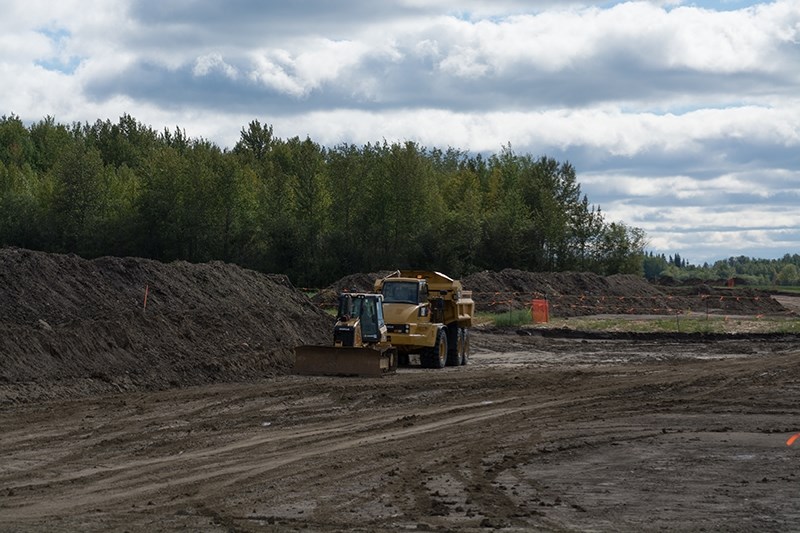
x: 784, y: 271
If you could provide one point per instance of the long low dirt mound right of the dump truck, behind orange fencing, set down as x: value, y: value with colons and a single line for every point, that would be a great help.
x: 581, y: 293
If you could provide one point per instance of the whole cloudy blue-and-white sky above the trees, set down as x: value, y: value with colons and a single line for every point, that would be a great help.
x: 681, y: 117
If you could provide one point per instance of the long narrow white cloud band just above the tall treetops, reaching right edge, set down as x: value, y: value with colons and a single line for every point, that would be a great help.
x: 602, y: 129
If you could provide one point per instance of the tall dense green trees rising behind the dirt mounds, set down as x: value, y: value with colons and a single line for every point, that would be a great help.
x: 295, y: 207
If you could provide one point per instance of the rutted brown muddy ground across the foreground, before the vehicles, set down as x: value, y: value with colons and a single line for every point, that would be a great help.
x: 536, y: 433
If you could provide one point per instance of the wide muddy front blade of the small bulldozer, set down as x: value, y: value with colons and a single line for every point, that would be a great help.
x: 341, y: 361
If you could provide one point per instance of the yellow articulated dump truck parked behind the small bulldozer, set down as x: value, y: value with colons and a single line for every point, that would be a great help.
x: 429, y: 314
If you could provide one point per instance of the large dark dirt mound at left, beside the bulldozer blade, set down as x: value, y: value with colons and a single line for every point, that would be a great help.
x: 70, y: 326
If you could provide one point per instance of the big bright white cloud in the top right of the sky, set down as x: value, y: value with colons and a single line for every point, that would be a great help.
x: 570, y: 37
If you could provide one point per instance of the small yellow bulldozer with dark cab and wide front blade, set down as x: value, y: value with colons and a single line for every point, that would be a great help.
x: 360, y: 345
